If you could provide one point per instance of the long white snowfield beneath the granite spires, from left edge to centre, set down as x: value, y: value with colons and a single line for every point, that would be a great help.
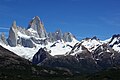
x: 56, y: 48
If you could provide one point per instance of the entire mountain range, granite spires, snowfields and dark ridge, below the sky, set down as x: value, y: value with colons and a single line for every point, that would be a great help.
x: 61, y: 50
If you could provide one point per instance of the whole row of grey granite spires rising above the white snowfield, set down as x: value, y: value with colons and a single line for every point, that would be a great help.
x: 34, y: 34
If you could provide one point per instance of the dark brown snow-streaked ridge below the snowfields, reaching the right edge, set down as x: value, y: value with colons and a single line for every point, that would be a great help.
x: 103, y: 57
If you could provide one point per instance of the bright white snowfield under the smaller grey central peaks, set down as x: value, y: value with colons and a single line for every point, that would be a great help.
x: 61, y: 47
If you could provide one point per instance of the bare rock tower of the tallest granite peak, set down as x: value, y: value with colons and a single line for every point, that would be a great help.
x: 38, y: 26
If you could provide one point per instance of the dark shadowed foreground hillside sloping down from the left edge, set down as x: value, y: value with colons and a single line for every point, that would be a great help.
x: 14, y: 67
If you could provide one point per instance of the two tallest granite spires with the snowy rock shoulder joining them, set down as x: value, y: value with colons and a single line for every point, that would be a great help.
x: 23, y: 37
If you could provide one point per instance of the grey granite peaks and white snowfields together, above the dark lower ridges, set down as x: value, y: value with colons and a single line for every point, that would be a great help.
x: 26, y: 42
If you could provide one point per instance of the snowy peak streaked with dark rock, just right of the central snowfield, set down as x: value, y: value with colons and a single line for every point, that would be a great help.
x: 87, y: 44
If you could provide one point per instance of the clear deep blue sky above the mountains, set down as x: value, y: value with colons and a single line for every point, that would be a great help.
x: 83, y: 18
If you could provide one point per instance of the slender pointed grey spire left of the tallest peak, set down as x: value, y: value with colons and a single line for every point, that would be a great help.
x: 12, y: 39
